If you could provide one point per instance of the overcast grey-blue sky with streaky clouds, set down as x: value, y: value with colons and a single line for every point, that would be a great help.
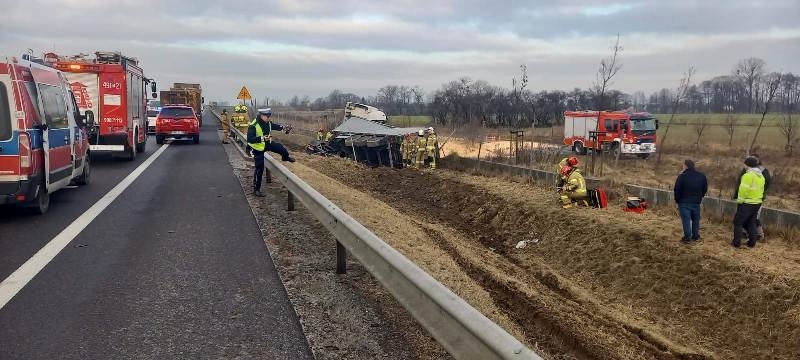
x: 282, y: 47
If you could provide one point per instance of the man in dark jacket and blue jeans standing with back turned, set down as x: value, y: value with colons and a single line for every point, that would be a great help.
x: 690, y: 188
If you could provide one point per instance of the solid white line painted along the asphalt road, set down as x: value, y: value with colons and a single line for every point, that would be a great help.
x: 22, y: 276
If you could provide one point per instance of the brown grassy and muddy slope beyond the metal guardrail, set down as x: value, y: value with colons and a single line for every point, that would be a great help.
x: 589, y: 283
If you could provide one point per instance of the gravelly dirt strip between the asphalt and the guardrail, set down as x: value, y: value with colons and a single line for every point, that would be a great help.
x: 343, y: 316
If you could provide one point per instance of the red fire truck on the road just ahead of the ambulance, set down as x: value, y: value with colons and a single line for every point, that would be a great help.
x: 112, y: 86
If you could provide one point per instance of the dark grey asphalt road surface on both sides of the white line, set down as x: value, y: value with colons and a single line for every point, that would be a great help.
x: 175, y: 267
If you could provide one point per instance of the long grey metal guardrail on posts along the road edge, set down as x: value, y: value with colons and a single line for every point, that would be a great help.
x: 461, y: 329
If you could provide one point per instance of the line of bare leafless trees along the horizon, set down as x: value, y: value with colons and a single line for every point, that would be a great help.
x: 468, y: 101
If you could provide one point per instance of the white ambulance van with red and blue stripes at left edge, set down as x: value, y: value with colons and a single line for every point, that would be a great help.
x: 43, y: 139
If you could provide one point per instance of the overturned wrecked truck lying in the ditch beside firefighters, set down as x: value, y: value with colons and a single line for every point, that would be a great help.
x: 365, y: 136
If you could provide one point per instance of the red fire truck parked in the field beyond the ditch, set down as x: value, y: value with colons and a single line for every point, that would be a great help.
x: 617, y: 132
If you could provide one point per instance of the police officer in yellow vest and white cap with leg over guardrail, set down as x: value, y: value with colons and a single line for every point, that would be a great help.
x: 259, y: 137
